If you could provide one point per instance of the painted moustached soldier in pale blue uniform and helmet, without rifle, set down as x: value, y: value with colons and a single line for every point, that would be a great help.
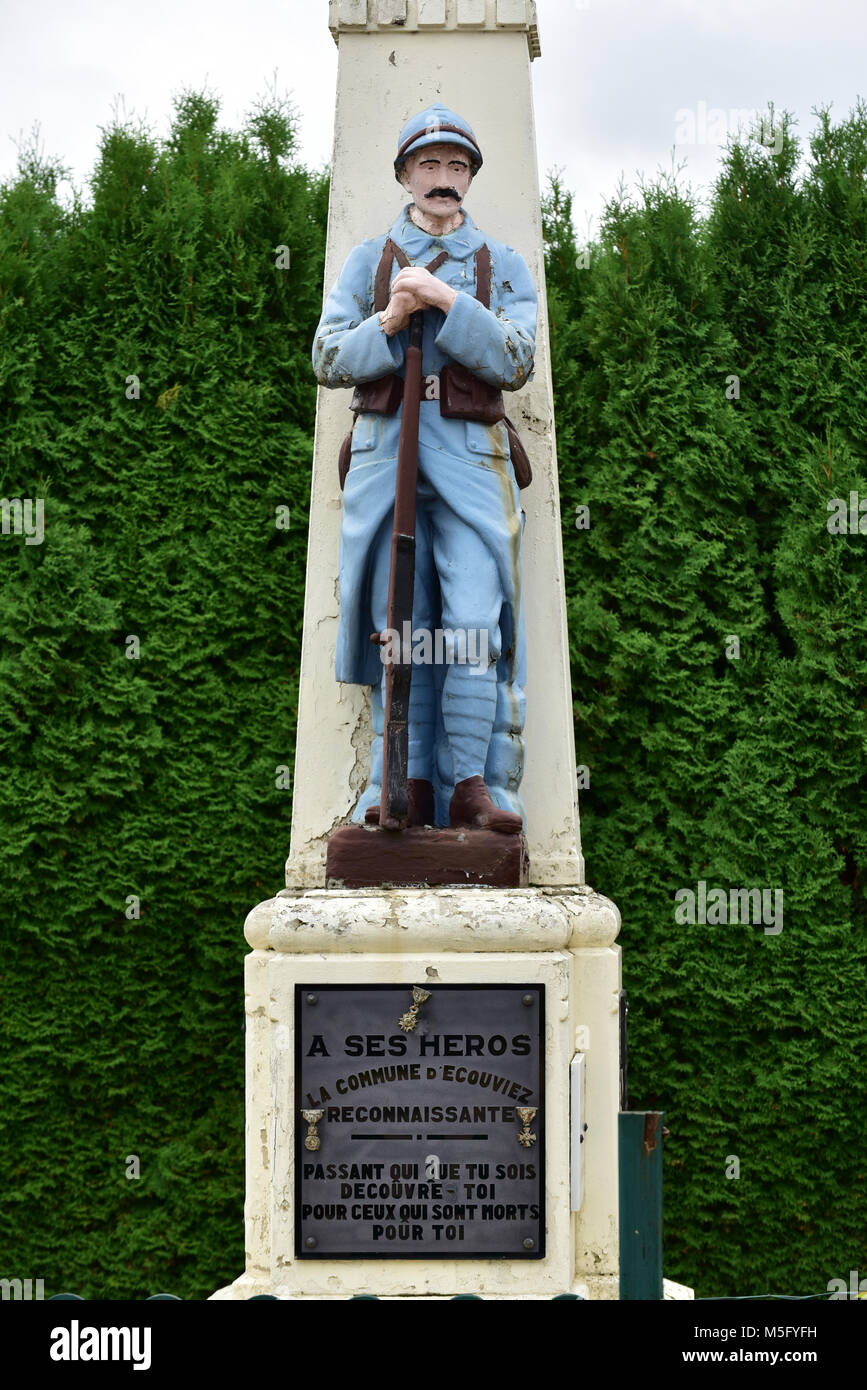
x: 466, y: 718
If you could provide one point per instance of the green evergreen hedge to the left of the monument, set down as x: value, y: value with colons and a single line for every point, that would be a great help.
x: 156, y: 391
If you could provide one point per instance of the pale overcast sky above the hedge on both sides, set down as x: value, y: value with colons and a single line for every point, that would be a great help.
x: 622, y: 87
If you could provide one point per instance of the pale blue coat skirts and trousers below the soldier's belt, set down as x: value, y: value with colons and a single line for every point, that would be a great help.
x: 466, y: 718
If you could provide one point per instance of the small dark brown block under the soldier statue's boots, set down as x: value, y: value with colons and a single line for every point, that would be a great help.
x: 366, y: 857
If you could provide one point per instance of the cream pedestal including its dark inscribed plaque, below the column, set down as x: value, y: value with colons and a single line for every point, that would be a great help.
x: 320, y: 963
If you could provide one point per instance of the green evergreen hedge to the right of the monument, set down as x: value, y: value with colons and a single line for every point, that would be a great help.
x: 709, y: 522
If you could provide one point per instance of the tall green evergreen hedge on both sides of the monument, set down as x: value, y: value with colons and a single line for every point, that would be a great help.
x: 156, y: 391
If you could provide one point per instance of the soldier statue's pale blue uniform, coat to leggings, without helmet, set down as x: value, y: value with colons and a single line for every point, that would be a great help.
x: 465, y: 719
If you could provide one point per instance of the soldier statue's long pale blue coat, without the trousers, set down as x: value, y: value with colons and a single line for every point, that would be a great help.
x: 466, y: 464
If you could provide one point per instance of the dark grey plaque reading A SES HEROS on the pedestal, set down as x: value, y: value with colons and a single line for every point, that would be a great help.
x: 420, y: 1121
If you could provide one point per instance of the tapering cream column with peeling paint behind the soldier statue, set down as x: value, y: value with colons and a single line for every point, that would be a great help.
x: 397, y: 58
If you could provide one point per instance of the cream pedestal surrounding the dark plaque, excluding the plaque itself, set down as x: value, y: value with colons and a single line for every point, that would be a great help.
x: 563, y: 940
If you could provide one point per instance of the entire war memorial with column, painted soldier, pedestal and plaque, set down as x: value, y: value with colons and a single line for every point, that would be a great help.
x: 434, y: 999
